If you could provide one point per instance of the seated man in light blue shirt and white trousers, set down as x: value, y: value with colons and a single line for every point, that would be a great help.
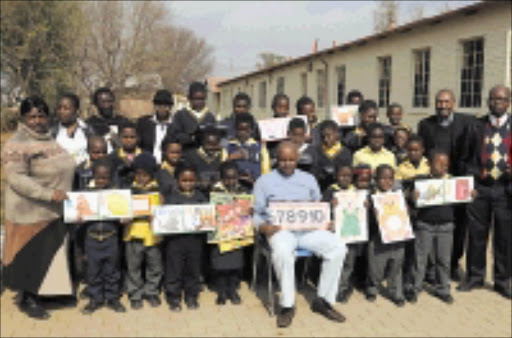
x: 286, y: 183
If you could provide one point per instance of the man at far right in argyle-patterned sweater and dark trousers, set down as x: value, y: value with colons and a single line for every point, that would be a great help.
x: 490, y: 150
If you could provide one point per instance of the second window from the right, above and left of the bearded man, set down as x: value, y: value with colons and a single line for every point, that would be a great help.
x: 421, y: 78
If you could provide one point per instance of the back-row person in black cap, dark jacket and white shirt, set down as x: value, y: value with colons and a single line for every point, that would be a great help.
x: 152, y: 129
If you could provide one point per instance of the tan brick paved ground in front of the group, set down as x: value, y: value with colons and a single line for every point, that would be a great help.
x: 478, y: 313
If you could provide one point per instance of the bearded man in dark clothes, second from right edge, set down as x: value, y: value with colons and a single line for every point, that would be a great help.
x: 447, y: 131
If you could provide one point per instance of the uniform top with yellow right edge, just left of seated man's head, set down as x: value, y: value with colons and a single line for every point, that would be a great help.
x: 258, y: 160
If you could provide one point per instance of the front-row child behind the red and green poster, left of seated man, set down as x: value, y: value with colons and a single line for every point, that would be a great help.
x: 227, y: 266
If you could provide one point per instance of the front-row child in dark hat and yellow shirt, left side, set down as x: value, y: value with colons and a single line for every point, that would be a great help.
x: 142, y: 246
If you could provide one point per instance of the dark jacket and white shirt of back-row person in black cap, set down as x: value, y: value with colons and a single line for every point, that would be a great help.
x: 151, y: 133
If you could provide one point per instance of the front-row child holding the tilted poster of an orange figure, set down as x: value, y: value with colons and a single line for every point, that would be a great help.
x: 382, y: 257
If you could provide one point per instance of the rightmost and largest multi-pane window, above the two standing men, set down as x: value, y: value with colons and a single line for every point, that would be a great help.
x: 472, y: 73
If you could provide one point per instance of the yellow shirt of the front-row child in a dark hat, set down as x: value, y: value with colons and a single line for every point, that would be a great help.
x: 140, y: 228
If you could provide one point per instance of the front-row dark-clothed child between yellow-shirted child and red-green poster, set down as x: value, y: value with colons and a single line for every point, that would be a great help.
x: 183, y: 252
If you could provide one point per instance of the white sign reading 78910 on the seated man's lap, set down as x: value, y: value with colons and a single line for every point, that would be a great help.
x: 300, y: 216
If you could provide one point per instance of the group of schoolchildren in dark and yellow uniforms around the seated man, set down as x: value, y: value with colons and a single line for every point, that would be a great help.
x: 200, y: 155
